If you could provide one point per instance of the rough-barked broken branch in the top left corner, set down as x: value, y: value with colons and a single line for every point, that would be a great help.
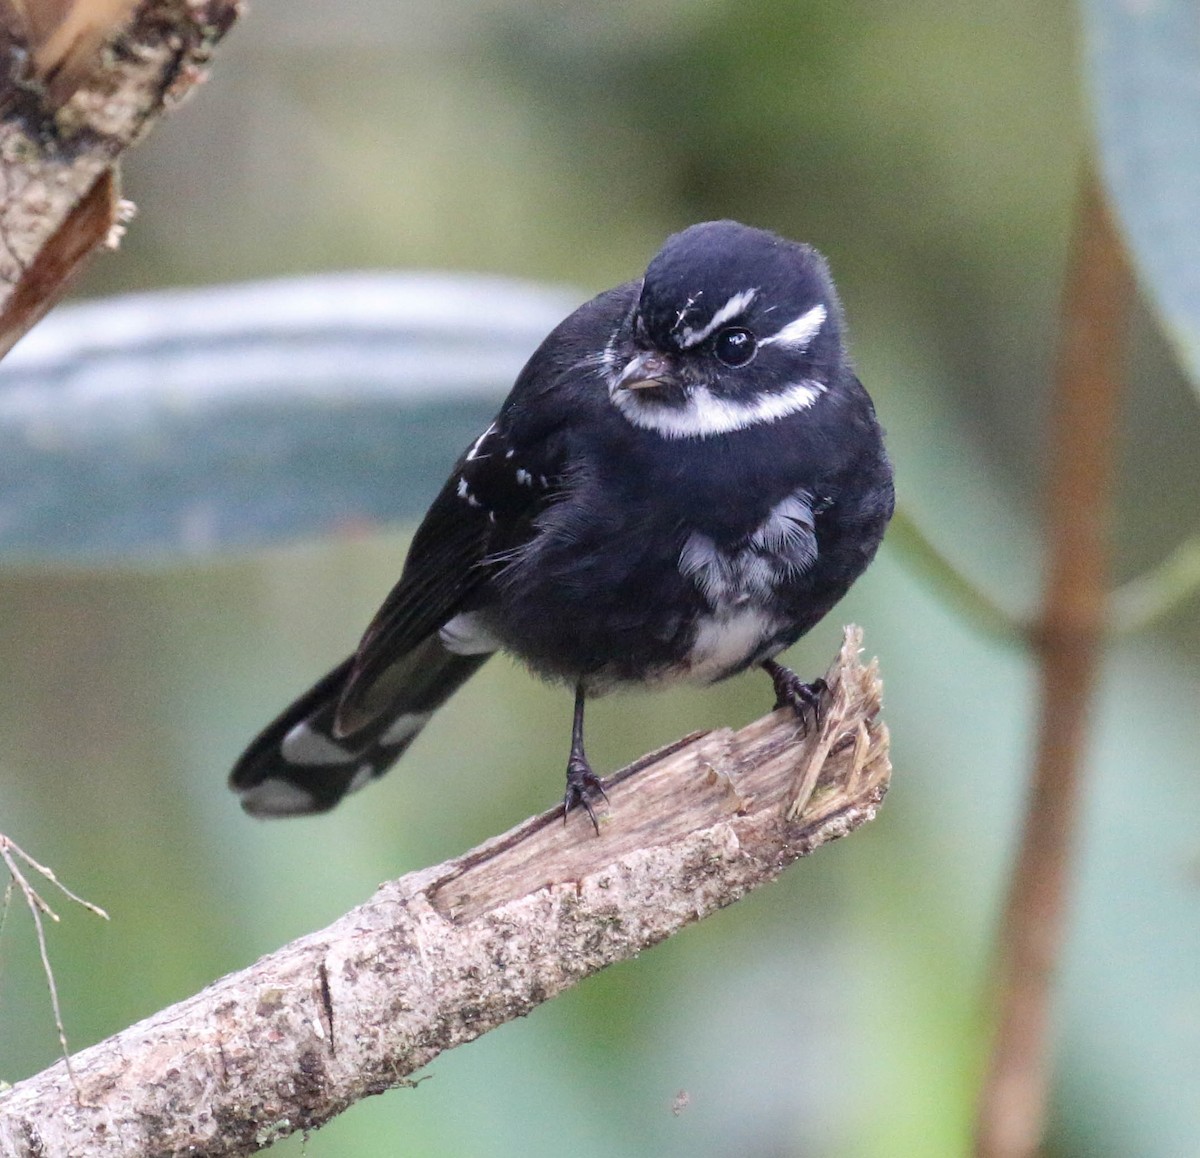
x: 80, y: 82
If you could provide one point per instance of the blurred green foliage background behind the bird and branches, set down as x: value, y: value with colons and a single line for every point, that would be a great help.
x: 934, y: 158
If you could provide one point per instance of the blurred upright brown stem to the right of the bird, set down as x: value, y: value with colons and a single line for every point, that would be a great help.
x: 1070, y: 639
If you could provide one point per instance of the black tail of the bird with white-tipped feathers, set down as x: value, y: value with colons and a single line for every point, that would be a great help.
x: 299, y: 764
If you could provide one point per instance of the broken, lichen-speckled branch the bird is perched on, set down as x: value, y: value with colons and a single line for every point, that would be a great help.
x: 442, y: 956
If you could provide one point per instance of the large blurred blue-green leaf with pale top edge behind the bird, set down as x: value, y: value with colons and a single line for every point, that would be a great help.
x: 182, y: 423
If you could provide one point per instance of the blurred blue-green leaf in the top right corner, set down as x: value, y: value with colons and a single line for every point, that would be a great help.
x: 1144, y: 69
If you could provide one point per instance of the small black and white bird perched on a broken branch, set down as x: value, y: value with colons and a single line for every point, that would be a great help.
x: 686, y: 478
